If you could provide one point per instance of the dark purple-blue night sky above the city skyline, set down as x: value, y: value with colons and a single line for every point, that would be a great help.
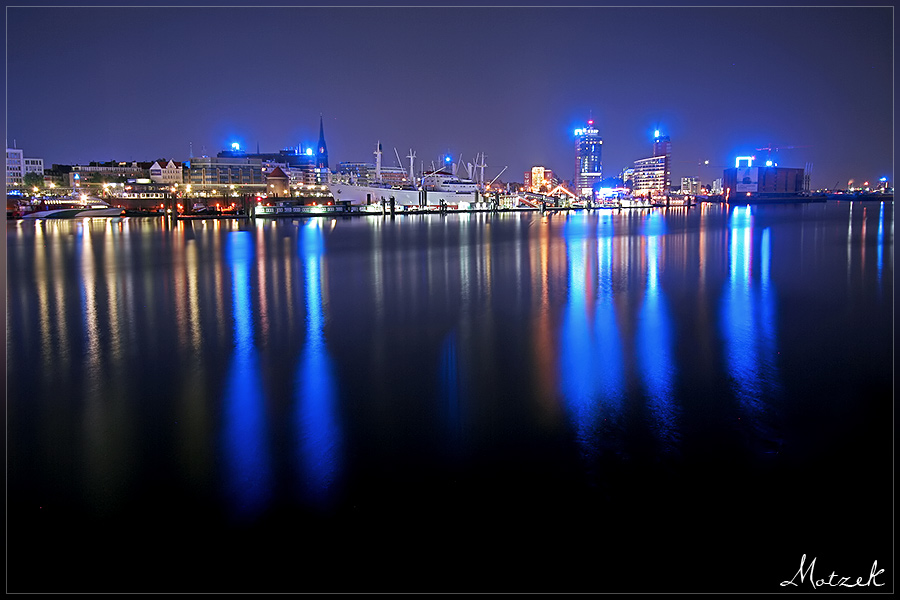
x: 128, y: 83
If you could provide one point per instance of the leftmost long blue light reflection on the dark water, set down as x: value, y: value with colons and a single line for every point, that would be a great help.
x: 247, y: 454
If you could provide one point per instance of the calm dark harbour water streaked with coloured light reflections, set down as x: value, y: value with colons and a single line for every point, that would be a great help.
x: 646, y: 400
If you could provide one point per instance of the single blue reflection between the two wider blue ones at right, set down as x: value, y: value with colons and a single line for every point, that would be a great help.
x: 654, y: 341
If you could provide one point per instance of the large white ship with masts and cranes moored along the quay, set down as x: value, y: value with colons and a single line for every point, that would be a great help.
x: 434, y: 189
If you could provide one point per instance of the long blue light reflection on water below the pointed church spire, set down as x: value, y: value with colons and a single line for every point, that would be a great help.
x: 318, y: 429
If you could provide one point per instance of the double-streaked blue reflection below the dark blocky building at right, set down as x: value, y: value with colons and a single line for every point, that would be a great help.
x: 747, y: 318
